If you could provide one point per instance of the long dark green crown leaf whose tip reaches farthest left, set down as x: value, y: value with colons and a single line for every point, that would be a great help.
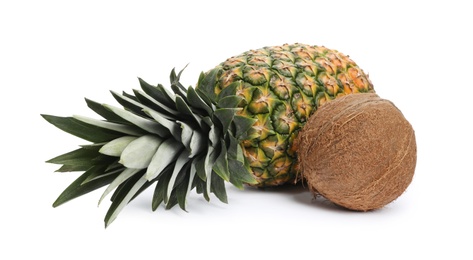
x: 82, y: 130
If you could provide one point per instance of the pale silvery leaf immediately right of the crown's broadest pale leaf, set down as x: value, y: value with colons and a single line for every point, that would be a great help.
x: 164, y: 155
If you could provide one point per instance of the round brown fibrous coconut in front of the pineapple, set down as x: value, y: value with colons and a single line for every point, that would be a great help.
x: 358, y: 151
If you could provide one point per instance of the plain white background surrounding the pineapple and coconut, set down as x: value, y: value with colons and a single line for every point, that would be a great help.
x: 53, y: 54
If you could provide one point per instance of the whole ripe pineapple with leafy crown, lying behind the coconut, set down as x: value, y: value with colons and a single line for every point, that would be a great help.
x: 237, y: 125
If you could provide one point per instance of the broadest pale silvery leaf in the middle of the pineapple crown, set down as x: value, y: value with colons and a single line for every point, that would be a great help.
x: 139, y: 152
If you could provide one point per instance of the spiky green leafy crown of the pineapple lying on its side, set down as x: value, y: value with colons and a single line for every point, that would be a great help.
x: 178, y: 139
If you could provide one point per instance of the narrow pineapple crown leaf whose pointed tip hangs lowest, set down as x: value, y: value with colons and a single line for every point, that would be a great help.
x: 121, y: 200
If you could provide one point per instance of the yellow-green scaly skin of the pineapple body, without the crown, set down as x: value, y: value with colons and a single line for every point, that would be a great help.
x: 282, y: 86
